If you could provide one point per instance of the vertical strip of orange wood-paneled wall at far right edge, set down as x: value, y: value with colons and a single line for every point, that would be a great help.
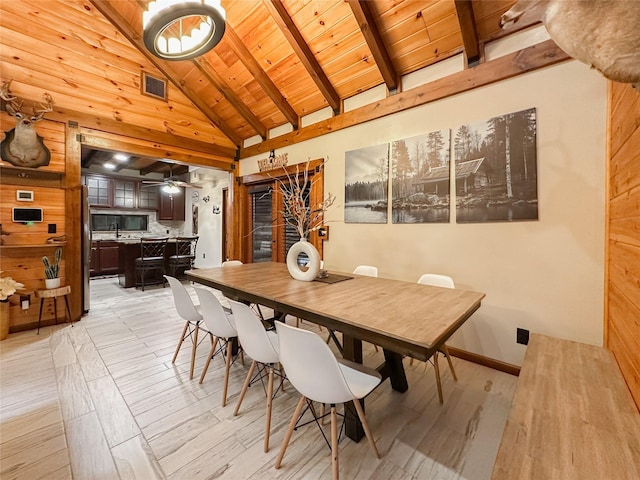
x: 622, y: 328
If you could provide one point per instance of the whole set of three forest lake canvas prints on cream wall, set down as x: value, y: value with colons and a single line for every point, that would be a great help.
x: 494, y: 163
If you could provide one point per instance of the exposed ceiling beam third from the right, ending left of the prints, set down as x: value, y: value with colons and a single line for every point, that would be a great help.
x: 293, y: 35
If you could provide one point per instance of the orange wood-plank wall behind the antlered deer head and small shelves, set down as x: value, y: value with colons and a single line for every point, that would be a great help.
x: 25, y: 244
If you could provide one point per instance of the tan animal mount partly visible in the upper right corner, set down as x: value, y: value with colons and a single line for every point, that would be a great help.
x: 603, y: 34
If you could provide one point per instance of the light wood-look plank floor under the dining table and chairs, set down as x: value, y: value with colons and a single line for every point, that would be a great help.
x: 102, y: 400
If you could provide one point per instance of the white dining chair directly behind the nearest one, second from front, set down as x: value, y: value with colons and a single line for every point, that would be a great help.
x: 262, y: 346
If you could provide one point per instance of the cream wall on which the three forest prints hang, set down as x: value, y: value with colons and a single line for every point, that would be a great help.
x: 547, y: 275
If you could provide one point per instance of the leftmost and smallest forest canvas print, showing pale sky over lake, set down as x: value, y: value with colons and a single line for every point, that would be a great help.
x: 366, y: 184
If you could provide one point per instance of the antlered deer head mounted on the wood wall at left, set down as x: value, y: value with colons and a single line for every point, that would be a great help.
x: 22, y: 146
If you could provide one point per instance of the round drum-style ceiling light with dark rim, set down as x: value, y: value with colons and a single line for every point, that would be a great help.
x: 182, y: 29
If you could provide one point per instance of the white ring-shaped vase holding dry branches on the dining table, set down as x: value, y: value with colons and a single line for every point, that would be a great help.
x: 306, y: 219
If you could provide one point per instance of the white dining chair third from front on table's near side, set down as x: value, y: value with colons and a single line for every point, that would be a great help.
x: 222, y: 330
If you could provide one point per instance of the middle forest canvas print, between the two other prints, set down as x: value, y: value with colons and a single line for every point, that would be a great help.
x: 420, y: 178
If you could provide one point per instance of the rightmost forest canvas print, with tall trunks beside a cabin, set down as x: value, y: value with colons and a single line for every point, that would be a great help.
x: 496, y: 169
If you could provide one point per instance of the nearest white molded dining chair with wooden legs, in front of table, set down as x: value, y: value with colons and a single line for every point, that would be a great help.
x: 318, y: 376
